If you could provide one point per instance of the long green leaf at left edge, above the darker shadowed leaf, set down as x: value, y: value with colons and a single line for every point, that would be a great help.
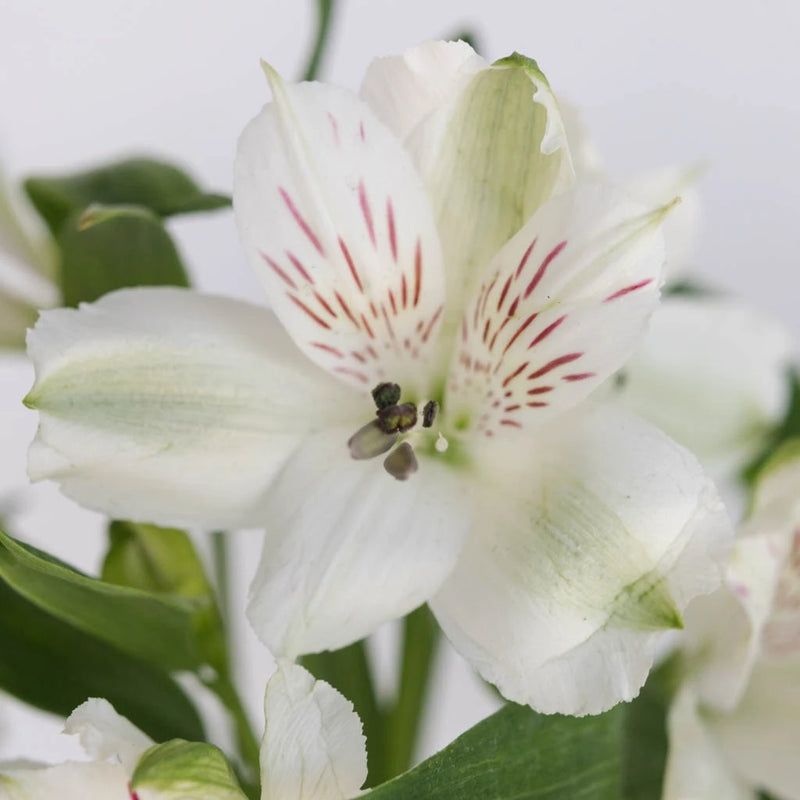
x: 158, y: 628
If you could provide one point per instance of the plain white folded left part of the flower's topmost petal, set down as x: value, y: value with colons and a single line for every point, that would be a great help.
x: 404, y: 90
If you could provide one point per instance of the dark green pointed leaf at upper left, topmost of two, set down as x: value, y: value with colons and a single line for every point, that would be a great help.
x: 156, y: 185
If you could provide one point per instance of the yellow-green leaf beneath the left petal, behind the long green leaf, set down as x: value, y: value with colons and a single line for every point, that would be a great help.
x: 165, y: 560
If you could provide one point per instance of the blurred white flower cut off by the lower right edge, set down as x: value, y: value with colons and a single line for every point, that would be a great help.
x: 735, y: 722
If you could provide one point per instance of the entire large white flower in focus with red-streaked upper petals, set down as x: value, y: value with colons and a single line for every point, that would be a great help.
x: 444, y: 299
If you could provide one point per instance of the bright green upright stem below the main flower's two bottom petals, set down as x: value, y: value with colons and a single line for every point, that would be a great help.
x: 420, y: 643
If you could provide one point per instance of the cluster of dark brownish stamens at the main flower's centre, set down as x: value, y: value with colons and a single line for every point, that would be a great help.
x: 395, y: 423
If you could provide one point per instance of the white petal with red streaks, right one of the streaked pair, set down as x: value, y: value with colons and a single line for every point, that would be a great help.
x: 560, y: 308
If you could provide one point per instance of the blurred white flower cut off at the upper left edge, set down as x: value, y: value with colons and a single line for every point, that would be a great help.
x: 27, y: 263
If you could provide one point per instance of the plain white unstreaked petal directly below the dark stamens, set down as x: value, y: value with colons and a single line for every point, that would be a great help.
x: 349, y: 547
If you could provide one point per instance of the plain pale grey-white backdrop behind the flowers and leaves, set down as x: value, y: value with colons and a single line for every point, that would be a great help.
x: 692, y: 82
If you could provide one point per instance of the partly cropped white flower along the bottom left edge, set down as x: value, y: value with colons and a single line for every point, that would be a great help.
x: 313, y: 749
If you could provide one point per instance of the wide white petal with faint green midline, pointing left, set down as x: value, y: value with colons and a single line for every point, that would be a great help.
x: 163, y: 405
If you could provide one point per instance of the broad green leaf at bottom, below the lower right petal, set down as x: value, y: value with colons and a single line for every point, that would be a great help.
x: 517, y: 754
